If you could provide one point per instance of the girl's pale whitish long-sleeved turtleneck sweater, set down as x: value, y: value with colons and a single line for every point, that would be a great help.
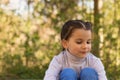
x: 66, y: 60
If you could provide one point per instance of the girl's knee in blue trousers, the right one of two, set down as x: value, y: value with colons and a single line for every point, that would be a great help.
x: 88, y: 73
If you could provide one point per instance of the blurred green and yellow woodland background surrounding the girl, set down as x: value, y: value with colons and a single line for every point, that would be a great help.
x: 30, y: 34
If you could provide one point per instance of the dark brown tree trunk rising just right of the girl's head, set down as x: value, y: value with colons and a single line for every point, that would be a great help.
x: 96, y: 38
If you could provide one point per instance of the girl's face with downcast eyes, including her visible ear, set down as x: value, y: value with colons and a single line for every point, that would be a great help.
x: 79, y: 43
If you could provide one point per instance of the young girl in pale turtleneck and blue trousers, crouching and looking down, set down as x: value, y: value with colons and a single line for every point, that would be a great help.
x: 76, y: 62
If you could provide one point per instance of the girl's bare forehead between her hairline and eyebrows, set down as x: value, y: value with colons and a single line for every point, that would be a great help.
x: 81, y: 33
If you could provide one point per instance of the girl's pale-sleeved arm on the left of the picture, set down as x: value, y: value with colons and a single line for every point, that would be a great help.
x: 53, y: 70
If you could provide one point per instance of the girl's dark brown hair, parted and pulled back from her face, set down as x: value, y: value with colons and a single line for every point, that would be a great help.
x: 70, y: 25
